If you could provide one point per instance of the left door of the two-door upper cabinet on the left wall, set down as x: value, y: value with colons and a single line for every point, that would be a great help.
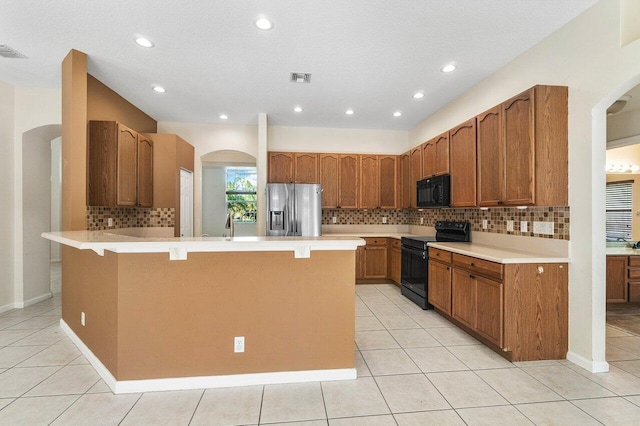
x: 127, y: 170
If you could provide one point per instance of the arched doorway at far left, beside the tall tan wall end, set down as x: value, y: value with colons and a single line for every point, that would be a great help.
x: 38, y: 184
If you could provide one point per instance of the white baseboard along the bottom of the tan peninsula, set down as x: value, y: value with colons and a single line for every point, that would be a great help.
x: 200, y: 382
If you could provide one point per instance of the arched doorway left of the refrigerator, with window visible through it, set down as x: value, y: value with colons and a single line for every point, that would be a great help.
x: 217, y: 168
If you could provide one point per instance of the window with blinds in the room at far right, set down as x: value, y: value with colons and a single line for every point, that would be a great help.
x: 619, y: 210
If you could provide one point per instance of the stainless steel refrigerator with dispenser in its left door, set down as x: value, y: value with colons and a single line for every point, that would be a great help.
x: 294, y: 209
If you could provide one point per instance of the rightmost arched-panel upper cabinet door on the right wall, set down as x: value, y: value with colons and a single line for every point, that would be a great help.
x: 519, y: 142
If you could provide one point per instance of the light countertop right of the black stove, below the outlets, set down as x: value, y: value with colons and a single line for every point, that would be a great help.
x: 498, y: 254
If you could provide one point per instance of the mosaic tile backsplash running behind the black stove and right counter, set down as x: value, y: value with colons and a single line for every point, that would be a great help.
x: 496, y: 218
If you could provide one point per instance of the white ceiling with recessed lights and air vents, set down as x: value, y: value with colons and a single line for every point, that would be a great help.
x: 369, y: 55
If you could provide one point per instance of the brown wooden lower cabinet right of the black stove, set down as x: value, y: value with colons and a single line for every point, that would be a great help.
x: 519, y: 310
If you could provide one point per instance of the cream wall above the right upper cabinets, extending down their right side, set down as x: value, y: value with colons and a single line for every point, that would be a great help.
x: 587, y: 56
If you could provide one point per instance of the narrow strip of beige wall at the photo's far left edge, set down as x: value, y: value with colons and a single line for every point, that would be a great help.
x: 7, y: 211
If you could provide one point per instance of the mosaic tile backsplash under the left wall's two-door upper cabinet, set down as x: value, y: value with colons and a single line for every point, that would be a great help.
x: 128, y: 217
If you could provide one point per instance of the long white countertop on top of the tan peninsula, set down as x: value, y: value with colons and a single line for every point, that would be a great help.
x: 178, y: 247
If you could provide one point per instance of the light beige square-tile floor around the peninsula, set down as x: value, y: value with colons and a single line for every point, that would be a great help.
x: 414, y: 368
